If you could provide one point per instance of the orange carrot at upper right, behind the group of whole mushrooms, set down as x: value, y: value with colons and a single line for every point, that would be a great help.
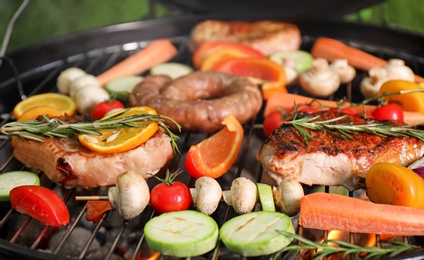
x: 331, y: 49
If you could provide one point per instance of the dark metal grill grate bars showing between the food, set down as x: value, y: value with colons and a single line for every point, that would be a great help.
x: 23, y: 236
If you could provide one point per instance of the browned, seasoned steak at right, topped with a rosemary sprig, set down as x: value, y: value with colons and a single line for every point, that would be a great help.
x: 333, y: 160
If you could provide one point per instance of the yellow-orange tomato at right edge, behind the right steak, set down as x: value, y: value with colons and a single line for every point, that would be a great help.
x: 408, y: 102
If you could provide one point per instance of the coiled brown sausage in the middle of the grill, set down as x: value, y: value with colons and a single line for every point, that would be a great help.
x: 199, y: 101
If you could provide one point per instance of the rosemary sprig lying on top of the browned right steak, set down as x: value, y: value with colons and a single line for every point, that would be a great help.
x: 347, y: 129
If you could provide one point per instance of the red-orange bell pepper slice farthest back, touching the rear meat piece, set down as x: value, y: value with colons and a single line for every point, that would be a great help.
x: 218, y: 49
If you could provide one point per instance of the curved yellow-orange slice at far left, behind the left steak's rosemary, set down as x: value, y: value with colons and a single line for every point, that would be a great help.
x: 61, y: 102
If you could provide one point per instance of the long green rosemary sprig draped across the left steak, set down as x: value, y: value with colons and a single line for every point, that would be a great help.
x: 54, y: 127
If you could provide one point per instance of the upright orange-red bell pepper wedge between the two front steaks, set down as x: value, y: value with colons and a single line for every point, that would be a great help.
x: 215, y: 155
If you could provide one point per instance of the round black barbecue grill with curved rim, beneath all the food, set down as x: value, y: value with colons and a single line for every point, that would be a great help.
x: 34, y: 69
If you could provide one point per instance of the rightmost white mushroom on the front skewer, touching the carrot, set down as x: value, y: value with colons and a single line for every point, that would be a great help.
x: 287, y: 196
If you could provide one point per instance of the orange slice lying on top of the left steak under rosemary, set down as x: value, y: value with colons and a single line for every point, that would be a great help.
x: 123, y: 139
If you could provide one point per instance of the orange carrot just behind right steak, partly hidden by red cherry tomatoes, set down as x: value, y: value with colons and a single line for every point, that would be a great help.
x: 286, y: 102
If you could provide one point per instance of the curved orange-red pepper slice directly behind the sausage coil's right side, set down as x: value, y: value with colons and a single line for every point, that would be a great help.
x: 271, y: 75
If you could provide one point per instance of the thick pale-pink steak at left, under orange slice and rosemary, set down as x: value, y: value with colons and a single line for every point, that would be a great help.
x: 67, y: 162
